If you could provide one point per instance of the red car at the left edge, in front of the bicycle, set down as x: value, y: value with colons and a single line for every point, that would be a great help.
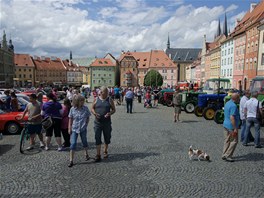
x: 8, y: 122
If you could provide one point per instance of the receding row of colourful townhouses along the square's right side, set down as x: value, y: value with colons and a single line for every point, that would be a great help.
x: 238, y: 56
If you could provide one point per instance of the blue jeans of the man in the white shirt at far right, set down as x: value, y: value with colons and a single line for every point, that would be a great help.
x: 250, y: 122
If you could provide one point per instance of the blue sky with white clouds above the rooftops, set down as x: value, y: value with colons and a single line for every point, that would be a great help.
x: 91, y: 28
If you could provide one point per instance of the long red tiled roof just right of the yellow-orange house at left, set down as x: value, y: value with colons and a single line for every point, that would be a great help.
x: 48, y: 64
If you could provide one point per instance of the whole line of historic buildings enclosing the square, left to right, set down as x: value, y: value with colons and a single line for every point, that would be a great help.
x: 236, y: 55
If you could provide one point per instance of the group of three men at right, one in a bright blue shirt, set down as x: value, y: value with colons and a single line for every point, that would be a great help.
x: 248, y: 110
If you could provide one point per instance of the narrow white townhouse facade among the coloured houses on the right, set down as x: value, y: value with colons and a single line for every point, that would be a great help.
x: 227, y: 59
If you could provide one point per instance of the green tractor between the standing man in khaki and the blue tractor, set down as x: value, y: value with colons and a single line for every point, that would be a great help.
x: 190, y: 100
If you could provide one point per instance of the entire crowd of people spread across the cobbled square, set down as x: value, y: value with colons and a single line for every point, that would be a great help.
x: 70, y: 119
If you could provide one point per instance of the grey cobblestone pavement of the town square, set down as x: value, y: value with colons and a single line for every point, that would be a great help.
x: 148, y: 158
